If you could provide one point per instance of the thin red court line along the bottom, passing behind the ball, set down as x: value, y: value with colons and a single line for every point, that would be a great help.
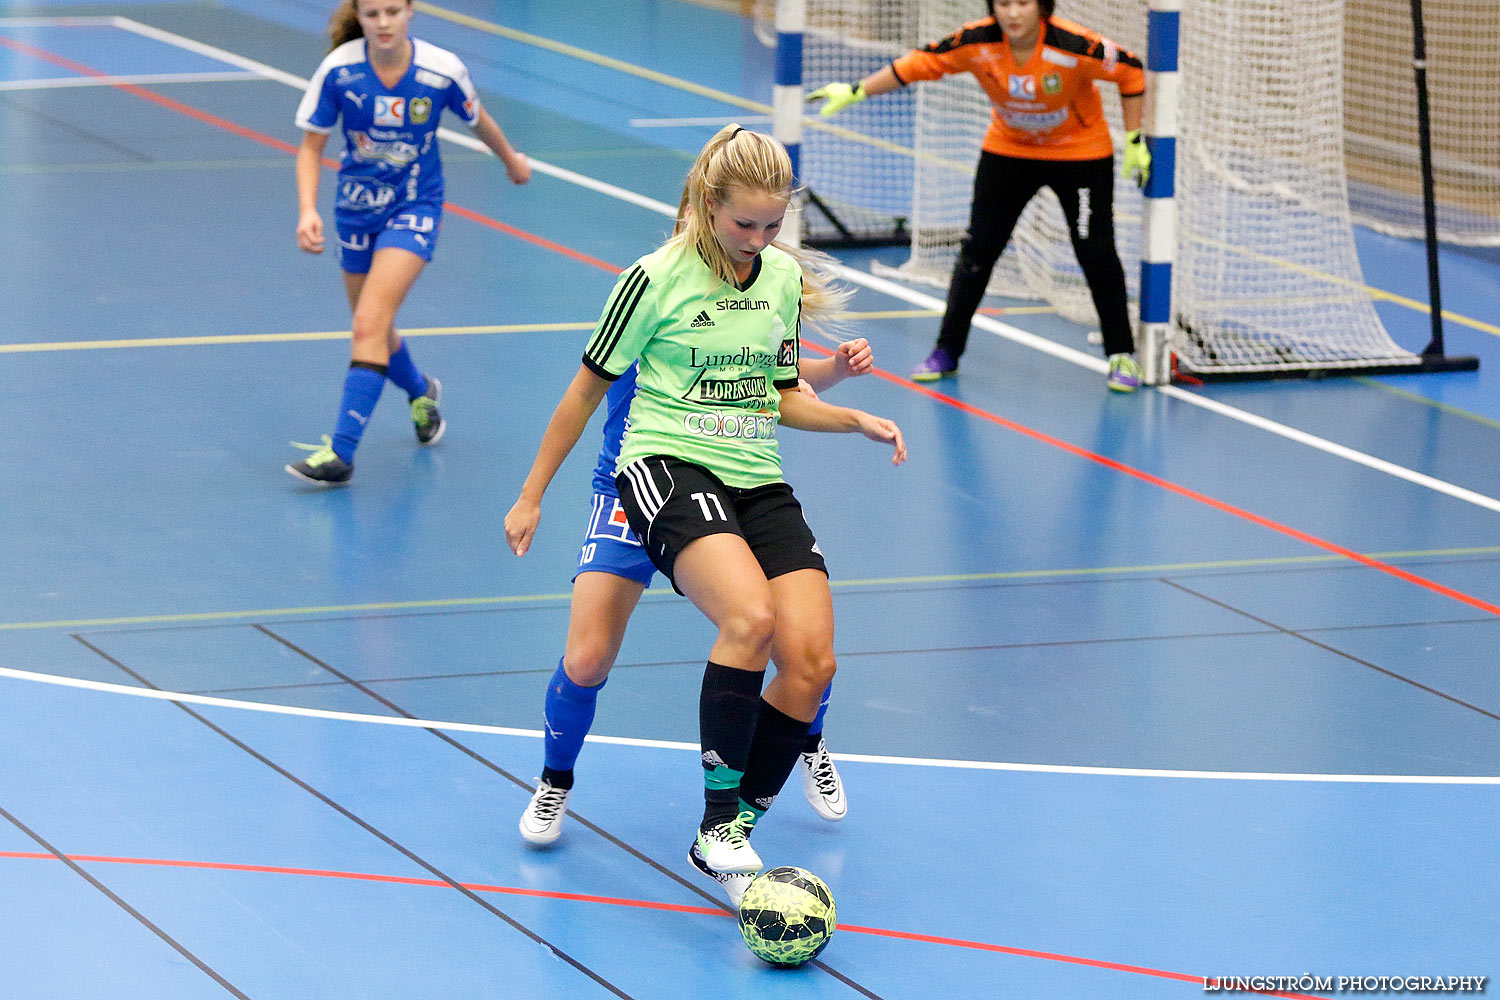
x: 641, y: 905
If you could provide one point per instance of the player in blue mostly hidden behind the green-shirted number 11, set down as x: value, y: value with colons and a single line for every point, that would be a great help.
x: 613, y: 573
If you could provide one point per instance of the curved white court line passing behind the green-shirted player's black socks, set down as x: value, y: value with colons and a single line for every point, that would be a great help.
x: 664, y: 744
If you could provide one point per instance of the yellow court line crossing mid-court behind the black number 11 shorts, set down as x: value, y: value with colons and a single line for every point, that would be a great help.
x: 664, y: 593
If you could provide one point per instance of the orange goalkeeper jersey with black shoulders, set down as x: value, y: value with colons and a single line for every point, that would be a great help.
x: 1051, y: 107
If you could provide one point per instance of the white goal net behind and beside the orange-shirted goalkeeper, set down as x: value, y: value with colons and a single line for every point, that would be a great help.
x: 1267, y: 278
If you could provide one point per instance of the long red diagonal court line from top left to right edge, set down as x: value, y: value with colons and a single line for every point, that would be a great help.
x: 1037, y: 436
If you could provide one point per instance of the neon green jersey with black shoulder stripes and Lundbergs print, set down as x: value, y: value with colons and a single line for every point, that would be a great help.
x: 713, y: 361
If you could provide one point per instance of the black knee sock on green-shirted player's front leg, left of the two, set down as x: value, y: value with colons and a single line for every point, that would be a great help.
x: 727, y: 723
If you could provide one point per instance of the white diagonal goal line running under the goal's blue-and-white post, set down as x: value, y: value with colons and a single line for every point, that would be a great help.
x: 898, y: 292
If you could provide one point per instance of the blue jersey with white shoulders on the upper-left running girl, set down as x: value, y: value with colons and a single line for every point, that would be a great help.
x: 391, y: 155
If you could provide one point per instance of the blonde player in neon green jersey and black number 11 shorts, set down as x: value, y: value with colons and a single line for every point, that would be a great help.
x: 713, y: 319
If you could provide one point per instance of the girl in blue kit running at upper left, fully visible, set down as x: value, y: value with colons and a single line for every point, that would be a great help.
x: 391, y: 92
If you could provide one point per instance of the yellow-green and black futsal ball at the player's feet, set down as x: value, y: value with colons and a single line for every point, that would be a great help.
x: 787, y: 917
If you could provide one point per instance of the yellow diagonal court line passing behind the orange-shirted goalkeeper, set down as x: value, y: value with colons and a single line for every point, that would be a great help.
x: 892, y: 148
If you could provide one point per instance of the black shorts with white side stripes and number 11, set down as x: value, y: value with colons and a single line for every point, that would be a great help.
x: 671, y: 503
